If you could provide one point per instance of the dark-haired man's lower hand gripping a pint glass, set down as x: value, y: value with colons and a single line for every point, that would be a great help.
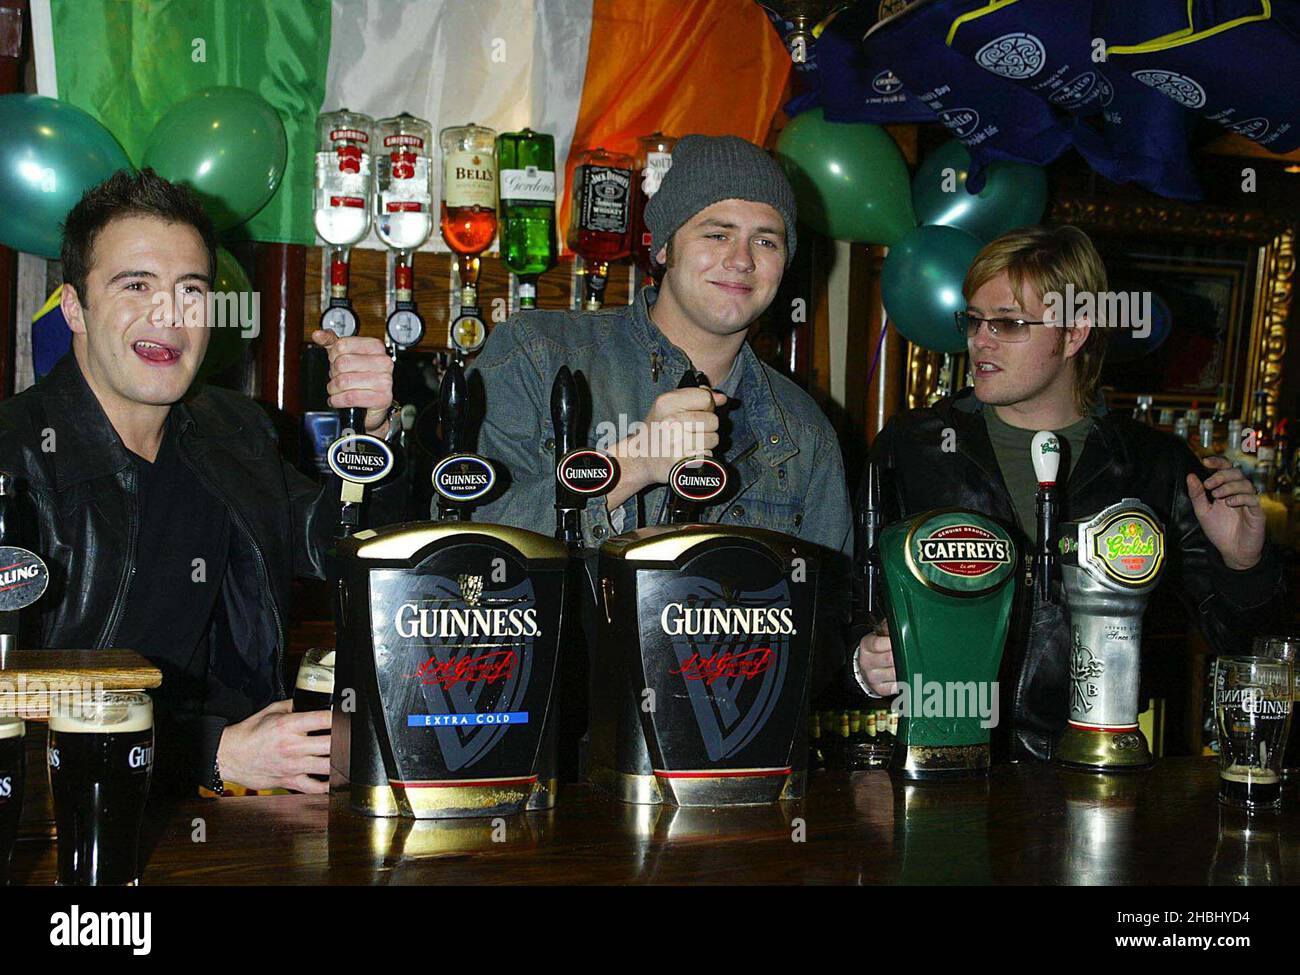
x: 275, y: 751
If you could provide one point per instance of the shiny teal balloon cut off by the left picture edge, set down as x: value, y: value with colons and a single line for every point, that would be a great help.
x: 51, y: 154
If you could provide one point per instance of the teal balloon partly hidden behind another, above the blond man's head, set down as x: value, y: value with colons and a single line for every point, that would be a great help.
x: 1015, y: 194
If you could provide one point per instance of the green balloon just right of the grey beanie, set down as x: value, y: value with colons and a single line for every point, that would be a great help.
x: 850, y: 179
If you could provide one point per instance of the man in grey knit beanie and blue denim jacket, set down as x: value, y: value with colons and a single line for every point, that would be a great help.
x: 723, y: 223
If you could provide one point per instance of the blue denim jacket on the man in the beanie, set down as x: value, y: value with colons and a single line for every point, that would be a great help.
x: 790, y: 467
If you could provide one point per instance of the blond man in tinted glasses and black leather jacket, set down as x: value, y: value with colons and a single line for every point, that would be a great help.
x: 972, y: 450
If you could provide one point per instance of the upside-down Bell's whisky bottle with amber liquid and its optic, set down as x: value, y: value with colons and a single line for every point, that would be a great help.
x: 469, y: 219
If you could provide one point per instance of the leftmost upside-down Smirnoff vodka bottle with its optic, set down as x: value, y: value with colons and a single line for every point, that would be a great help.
x: 343, y: 201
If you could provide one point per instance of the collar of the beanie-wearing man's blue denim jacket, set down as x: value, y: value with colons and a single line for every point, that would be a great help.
x: 764, y: 411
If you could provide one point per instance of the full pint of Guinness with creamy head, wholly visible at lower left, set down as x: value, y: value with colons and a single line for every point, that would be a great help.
x: 101, y: 757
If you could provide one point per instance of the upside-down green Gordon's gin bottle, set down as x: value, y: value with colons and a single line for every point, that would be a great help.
x: 528, y: 246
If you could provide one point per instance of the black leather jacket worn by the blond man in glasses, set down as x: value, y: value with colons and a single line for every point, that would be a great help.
x: 1121, y: 460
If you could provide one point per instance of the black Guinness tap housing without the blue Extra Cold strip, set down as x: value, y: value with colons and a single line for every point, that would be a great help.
x: 703, y: 671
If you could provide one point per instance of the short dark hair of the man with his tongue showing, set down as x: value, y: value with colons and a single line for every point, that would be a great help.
x: 127, y: 194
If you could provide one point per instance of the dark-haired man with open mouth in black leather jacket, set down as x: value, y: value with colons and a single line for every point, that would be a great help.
x: 168, y: 519
